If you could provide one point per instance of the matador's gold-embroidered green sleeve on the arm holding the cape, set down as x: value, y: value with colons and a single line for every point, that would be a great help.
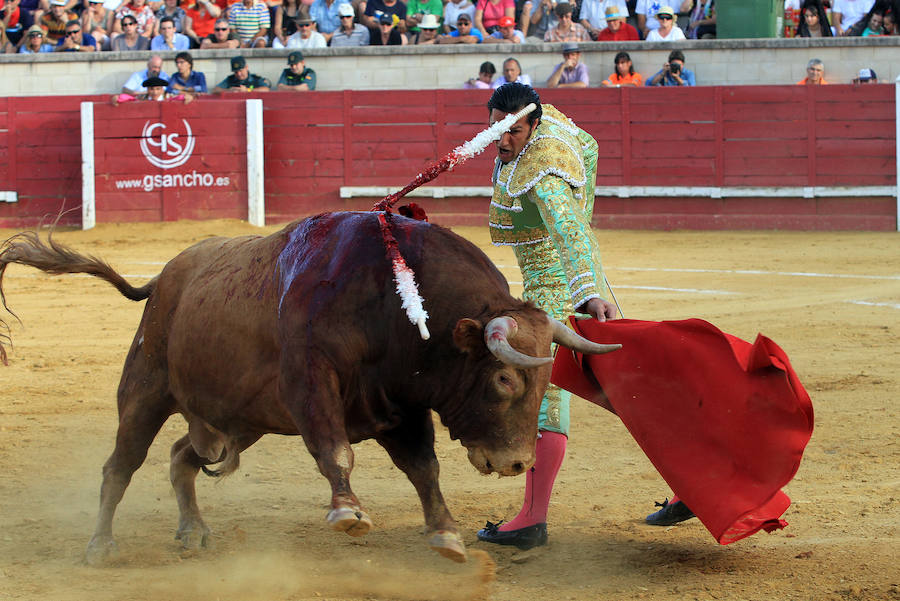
x: 570, y: 230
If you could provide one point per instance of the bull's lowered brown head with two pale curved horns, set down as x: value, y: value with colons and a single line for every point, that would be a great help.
x: 501, y: 427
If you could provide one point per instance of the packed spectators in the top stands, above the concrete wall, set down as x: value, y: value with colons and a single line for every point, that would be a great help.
x: 157, y: 25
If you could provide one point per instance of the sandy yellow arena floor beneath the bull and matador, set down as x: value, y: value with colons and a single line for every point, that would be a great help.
x: 831, y: 300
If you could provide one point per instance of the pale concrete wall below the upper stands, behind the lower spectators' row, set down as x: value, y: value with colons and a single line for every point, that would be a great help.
x: 715, y: 62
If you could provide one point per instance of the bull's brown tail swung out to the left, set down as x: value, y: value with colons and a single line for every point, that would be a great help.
x: 27, y: 248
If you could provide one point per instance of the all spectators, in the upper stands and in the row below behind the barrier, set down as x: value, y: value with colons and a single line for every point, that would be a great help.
x: 38, y: 26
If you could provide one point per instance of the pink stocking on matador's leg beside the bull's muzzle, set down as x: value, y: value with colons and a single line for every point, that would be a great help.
x: 549, y: 453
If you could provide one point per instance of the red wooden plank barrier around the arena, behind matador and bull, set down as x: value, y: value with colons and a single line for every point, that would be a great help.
x: 760, y: 136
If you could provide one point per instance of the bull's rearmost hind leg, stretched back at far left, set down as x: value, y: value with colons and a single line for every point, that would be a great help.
x: 144, y: 406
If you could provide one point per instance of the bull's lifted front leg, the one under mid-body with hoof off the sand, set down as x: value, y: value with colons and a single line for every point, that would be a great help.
x: 320, y: 420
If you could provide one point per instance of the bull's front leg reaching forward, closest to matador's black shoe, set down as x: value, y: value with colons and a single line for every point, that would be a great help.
x: 411, y: 447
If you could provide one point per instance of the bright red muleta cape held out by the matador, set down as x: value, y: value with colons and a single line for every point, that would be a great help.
x: 724, y: 421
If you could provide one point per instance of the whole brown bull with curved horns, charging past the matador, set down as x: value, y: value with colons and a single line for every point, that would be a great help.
x: 302, y: 332
